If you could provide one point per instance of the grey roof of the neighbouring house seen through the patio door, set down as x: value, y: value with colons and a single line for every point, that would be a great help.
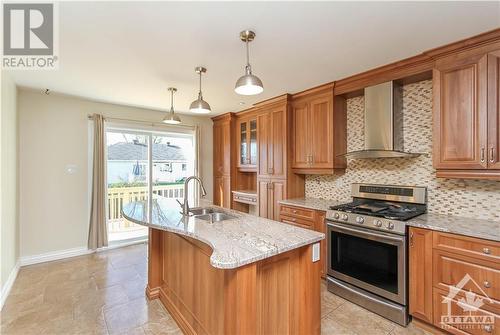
x: 124, y: 151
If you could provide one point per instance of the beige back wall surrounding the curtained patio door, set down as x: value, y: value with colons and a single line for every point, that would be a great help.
x: 53, y: 132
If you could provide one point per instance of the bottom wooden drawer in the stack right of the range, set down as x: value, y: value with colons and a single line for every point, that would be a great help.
x: 445, y: 305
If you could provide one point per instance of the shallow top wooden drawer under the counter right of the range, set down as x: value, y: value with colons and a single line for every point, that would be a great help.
x: 467, y: 246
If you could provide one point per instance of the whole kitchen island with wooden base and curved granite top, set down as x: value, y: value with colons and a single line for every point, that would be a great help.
x: 242, y: 275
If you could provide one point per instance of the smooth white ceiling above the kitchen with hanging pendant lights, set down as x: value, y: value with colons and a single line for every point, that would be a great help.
x: 130, y: 52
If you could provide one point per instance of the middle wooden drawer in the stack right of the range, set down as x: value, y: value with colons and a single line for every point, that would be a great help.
x: 450, y: 269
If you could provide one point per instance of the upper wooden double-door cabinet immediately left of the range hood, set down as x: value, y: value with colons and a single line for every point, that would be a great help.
x: 314, y: 127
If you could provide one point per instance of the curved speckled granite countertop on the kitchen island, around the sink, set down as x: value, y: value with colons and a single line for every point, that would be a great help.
x: 236, y: 242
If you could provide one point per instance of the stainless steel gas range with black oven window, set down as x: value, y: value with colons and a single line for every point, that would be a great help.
x: 367, y: 247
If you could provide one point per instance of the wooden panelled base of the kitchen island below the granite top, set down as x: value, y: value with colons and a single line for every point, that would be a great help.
x: 277, y: 295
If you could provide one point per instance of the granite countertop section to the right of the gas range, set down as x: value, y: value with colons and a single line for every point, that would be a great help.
x: 486, y: 229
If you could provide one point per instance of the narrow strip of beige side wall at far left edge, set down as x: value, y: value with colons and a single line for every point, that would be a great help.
x: 9, y: 180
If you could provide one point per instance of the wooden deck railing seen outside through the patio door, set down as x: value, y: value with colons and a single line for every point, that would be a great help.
x: 119, y: 196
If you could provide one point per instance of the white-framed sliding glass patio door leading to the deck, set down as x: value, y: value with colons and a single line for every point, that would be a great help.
x: 140, y: 164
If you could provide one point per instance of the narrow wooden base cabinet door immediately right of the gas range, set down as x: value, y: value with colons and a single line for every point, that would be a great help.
x: 420, y: 273
